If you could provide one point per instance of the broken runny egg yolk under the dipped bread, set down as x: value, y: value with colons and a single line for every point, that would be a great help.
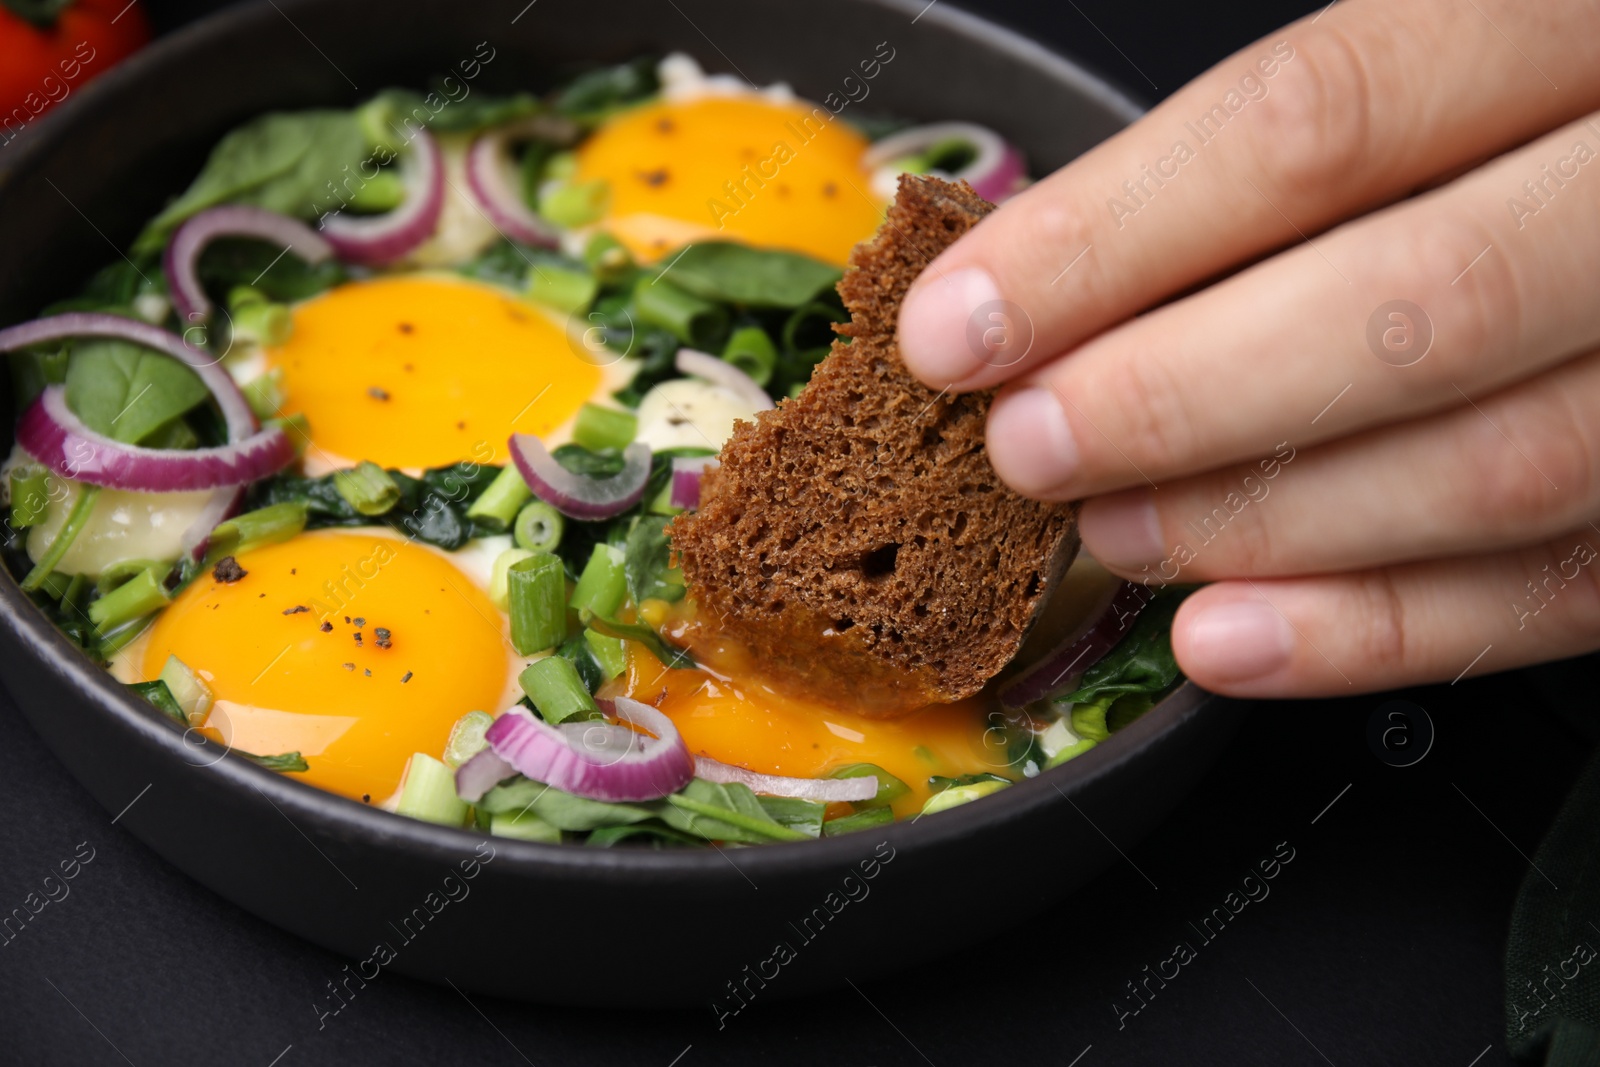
x: 742, y: 722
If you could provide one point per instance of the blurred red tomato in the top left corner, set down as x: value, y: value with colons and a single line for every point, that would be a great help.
x: 44, y: 65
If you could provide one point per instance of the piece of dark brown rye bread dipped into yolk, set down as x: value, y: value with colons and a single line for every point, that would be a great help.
x: 855, y: 543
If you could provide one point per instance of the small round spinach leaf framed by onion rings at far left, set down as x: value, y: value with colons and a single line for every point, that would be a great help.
x: 126, y: 391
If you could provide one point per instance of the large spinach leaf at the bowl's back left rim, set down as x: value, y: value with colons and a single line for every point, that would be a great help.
x: 282, y: 162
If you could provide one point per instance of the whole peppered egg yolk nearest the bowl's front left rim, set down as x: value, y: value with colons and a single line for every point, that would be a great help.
x: 350, y: 647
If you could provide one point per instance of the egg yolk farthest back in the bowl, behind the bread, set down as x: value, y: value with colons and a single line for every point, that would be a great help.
x: 734, y: 169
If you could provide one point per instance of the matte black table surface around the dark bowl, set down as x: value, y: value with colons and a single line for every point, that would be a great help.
x: 1378, y: 941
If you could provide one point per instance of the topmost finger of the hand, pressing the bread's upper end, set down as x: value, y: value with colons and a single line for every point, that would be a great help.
x: 1334, y: 116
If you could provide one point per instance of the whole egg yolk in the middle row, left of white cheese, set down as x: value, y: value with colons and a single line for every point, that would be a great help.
x: 426, y: 370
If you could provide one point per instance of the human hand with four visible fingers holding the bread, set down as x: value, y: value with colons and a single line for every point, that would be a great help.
x: 1380, y: 439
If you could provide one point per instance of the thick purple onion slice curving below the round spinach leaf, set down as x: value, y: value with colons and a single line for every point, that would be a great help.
x: 58, y: 439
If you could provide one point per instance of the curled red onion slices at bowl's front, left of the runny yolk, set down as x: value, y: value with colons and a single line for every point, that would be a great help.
x: 647, y: 769
